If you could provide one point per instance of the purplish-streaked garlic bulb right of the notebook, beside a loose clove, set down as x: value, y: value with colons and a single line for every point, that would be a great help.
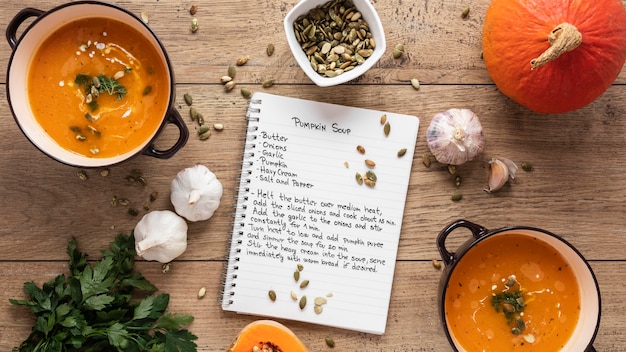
x: 455, y: 136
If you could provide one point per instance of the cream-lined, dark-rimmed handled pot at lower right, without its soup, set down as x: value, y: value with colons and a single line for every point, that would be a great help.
x: 589, y: 320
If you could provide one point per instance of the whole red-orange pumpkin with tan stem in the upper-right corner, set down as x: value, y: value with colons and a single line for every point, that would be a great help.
x: 554, y: 56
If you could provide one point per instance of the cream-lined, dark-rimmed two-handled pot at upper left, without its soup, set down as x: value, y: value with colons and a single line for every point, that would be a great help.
x: 23, y: 49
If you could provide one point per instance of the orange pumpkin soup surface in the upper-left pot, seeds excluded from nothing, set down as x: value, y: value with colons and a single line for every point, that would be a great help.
x: 98, y: 87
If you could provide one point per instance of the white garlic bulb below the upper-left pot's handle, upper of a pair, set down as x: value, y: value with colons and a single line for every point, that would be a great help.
x: 196, y: 193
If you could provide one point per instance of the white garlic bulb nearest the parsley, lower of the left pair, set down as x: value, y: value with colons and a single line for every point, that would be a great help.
x: 160, y: 235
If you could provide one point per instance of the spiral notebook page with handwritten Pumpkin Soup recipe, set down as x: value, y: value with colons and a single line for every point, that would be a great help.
x: 319, y: 212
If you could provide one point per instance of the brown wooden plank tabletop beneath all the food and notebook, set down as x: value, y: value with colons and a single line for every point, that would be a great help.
x: 577, y: 188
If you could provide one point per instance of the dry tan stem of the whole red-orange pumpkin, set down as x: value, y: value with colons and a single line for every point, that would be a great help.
x: 563, y: 38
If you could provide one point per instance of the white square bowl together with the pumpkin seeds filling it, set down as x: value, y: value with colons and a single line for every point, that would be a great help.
x: 334, y: 41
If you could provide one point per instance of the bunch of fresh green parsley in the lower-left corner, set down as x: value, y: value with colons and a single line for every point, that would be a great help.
x: 96, y: 308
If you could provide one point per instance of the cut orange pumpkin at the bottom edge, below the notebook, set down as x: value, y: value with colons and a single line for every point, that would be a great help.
x: 270, y: 333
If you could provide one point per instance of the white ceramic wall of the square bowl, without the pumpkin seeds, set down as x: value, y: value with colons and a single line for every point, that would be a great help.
x: 368, y: 14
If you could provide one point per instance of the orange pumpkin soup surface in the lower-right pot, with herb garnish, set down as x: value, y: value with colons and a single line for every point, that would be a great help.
x: 512, y: 292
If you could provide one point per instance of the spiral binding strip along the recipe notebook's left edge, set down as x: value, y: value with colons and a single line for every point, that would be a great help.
x: 229, y: 278
